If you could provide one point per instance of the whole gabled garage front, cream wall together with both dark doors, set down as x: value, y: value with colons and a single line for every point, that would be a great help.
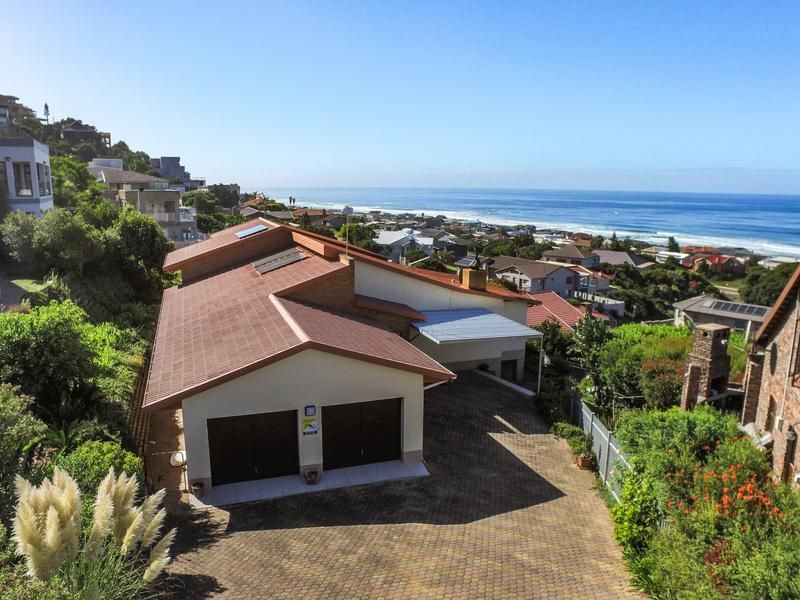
x: 312, y: 411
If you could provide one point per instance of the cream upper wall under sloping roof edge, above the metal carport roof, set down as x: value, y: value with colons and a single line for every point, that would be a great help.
x: 421, y: 295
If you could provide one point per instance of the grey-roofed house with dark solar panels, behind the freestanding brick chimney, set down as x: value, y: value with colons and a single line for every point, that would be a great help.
x: 707, y: 309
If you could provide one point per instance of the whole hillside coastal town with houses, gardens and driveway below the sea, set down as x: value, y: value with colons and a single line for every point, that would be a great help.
x: 334, y: 403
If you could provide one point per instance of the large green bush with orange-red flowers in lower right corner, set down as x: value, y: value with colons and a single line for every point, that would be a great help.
x: 700, y: 516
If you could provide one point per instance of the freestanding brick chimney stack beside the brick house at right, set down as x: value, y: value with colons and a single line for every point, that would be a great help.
x: 707, y: 366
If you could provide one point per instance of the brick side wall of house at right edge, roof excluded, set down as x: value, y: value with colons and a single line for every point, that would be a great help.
x: 774, y: 385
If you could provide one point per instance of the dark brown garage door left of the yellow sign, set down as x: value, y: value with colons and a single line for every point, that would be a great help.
x: 253, y: 446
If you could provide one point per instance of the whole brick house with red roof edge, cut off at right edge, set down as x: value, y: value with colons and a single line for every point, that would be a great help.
x: 772, y: 382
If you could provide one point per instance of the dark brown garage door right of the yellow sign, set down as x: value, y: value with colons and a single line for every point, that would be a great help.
x: 361, y: 433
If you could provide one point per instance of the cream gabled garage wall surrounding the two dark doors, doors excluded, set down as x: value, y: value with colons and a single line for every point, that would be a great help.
x: 310, y: 377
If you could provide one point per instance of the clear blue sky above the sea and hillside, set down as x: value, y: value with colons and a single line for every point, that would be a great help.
x: 692, y: 96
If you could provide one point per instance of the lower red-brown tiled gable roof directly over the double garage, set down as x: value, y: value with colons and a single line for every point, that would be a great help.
x: 220, y: 327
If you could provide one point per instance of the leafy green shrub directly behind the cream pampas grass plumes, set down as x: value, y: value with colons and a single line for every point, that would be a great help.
x: 89, y: 463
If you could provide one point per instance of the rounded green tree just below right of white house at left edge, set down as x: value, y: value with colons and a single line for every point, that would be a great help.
x: 64, y: 242
